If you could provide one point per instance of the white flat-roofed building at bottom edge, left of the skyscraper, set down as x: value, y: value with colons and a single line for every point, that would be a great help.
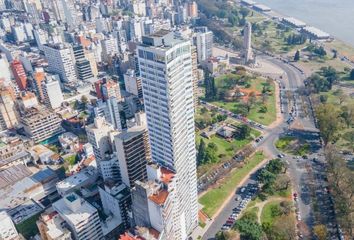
x: 81, y: 217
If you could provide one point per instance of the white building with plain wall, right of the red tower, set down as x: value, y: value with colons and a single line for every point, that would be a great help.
x: 53, y: 96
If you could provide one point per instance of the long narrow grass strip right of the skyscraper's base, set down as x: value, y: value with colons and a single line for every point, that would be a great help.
x: 215, y: 197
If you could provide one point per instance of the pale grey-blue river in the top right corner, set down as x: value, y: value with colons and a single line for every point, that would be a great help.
x: 335, y: 17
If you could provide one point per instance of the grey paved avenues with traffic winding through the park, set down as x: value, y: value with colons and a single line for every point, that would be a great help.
x: 307, y: 176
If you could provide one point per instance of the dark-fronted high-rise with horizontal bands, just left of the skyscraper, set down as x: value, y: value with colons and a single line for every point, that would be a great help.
x: 133, y: 152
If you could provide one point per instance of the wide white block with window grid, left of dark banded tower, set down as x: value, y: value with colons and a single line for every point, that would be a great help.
x: 61, y: 61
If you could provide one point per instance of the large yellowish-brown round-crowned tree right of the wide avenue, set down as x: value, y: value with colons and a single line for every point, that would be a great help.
x: 328, y: 117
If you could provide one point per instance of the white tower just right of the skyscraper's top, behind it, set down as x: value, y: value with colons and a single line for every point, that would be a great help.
x: 203, y: 39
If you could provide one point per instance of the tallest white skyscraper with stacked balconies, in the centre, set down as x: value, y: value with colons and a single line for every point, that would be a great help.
x: 166, y: 71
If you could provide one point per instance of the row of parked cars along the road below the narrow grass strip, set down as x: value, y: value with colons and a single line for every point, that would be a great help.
x: 244, y: 196
